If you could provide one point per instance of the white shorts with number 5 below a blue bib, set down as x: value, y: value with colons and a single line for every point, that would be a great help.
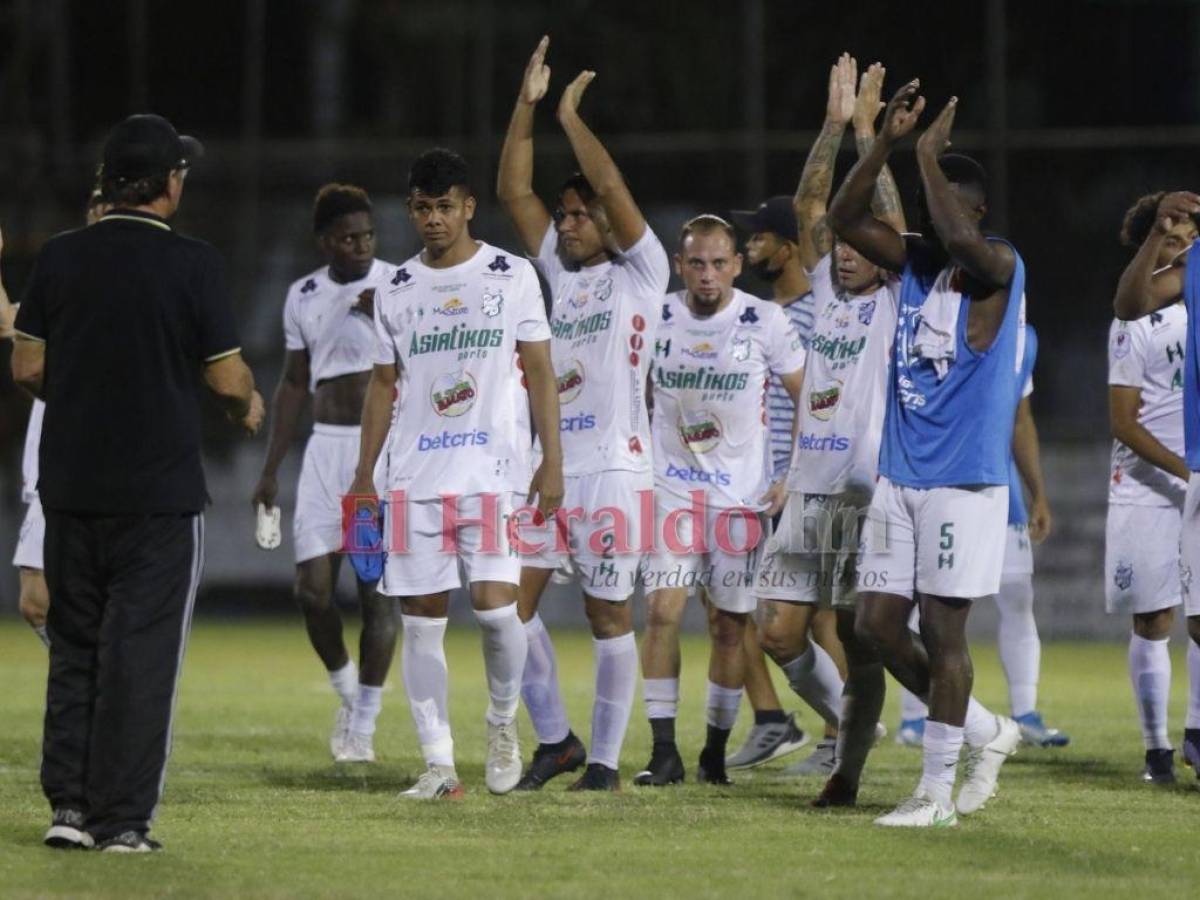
x: 943, y: 542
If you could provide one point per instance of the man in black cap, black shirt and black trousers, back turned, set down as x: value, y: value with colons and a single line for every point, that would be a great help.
x: 121, y: 325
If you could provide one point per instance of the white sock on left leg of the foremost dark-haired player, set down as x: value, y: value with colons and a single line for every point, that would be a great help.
x: 423, y: 662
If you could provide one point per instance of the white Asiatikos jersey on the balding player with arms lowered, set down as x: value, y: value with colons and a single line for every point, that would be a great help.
x: 710, y: 377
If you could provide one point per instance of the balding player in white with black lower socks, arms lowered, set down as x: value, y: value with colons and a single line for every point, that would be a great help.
x: 713, y: 355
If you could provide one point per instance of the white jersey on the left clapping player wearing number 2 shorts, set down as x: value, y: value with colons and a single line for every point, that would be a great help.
x: 603, y: 321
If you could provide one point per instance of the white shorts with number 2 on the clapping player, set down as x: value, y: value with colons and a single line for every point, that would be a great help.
x: 604, y: 539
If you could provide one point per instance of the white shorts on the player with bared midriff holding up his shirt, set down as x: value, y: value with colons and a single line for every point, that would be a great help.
x: 331, y: 459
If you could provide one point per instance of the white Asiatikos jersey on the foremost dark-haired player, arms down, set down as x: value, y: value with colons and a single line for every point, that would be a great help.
x: 463, y: 424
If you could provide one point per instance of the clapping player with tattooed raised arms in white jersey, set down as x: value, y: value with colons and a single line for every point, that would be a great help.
x: 835, y: 464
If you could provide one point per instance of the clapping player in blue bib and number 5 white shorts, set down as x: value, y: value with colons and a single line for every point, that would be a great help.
x: 943, y: 499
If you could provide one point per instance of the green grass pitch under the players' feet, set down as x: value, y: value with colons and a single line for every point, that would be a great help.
x: 255, y: 807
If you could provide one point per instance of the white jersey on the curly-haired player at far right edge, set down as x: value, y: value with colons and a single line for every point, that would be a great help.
x: 1148, y: 355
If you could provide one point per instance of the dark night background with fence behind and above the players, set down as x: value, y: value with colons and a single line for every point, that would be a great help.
x: 1076, y: 107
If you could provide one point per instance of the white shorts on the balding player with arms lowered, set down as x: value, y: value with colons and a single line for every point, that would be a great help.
x: 723, y: 560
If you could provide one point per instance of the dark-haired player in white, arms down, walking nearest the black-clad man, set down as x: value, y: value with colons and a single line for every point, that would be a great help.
x: 463, y: 334
